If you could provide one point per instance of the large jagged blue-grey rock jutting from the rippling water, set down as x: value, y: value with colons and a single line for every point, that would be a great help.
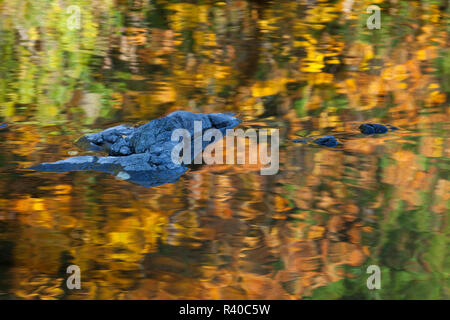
x: 141, y: 155
